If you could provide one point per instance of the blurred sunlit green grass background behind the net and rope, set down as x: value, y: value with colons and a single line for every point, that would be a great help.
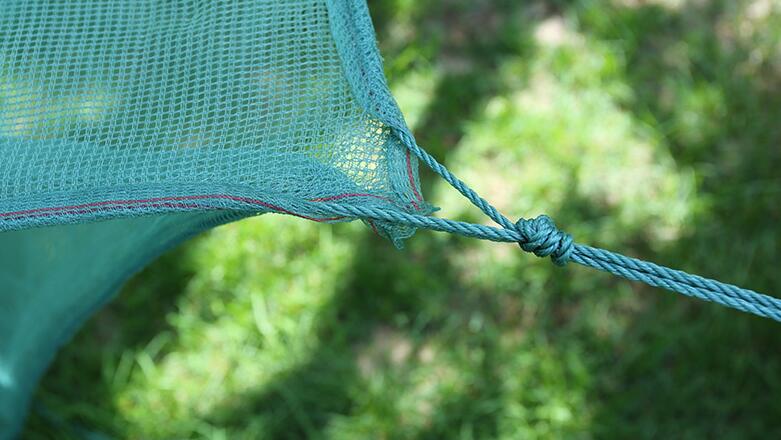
x: 651, y: 127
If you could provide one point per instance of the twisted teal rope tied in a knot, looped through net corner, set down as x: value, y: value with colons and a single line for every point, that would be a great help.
x: 541, y: 237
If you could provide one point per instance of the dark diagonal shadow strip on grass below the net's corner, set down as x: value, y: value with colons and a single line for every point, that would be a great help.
x: 301, y: 402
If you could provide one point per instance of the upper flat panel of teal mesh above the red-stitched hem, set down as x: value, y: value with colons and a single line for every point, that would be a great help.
x: 283, y: 101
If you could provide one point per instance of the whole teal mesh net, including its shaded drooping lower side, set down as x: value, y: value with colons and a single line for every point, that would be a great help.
x: 128, y: 126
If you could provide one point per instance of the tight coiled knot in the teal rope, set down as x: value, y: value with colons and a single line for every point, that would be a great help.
x: 541, y: 237
